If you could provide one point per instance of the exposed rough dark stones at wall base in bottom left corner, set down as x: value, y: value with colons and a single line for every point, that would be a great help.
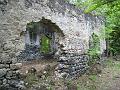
x: 10, y: 76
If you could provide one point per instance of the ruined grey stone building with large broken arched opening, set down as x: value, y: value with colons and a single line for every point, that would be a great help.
x: 36, y: 29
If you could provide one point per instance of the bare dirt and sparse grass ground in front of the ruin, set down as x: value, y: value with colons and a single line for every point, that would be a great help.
x: 109, y: 79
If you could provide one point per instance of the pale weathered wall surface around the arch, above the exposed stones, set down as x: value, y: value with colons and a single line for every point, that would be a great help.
x: 18, y: 13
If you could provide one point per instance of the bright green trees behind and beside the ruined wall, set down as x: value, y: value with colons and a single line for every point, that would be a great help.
x: 110, y: 10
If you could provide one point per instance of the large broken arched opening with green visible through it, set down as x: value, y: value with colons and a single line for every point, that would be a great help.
x: 41, y: 39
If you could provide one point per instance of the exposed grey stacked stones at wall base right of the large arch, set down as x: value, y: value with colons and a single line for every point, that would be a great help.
x: 72, y: 65
